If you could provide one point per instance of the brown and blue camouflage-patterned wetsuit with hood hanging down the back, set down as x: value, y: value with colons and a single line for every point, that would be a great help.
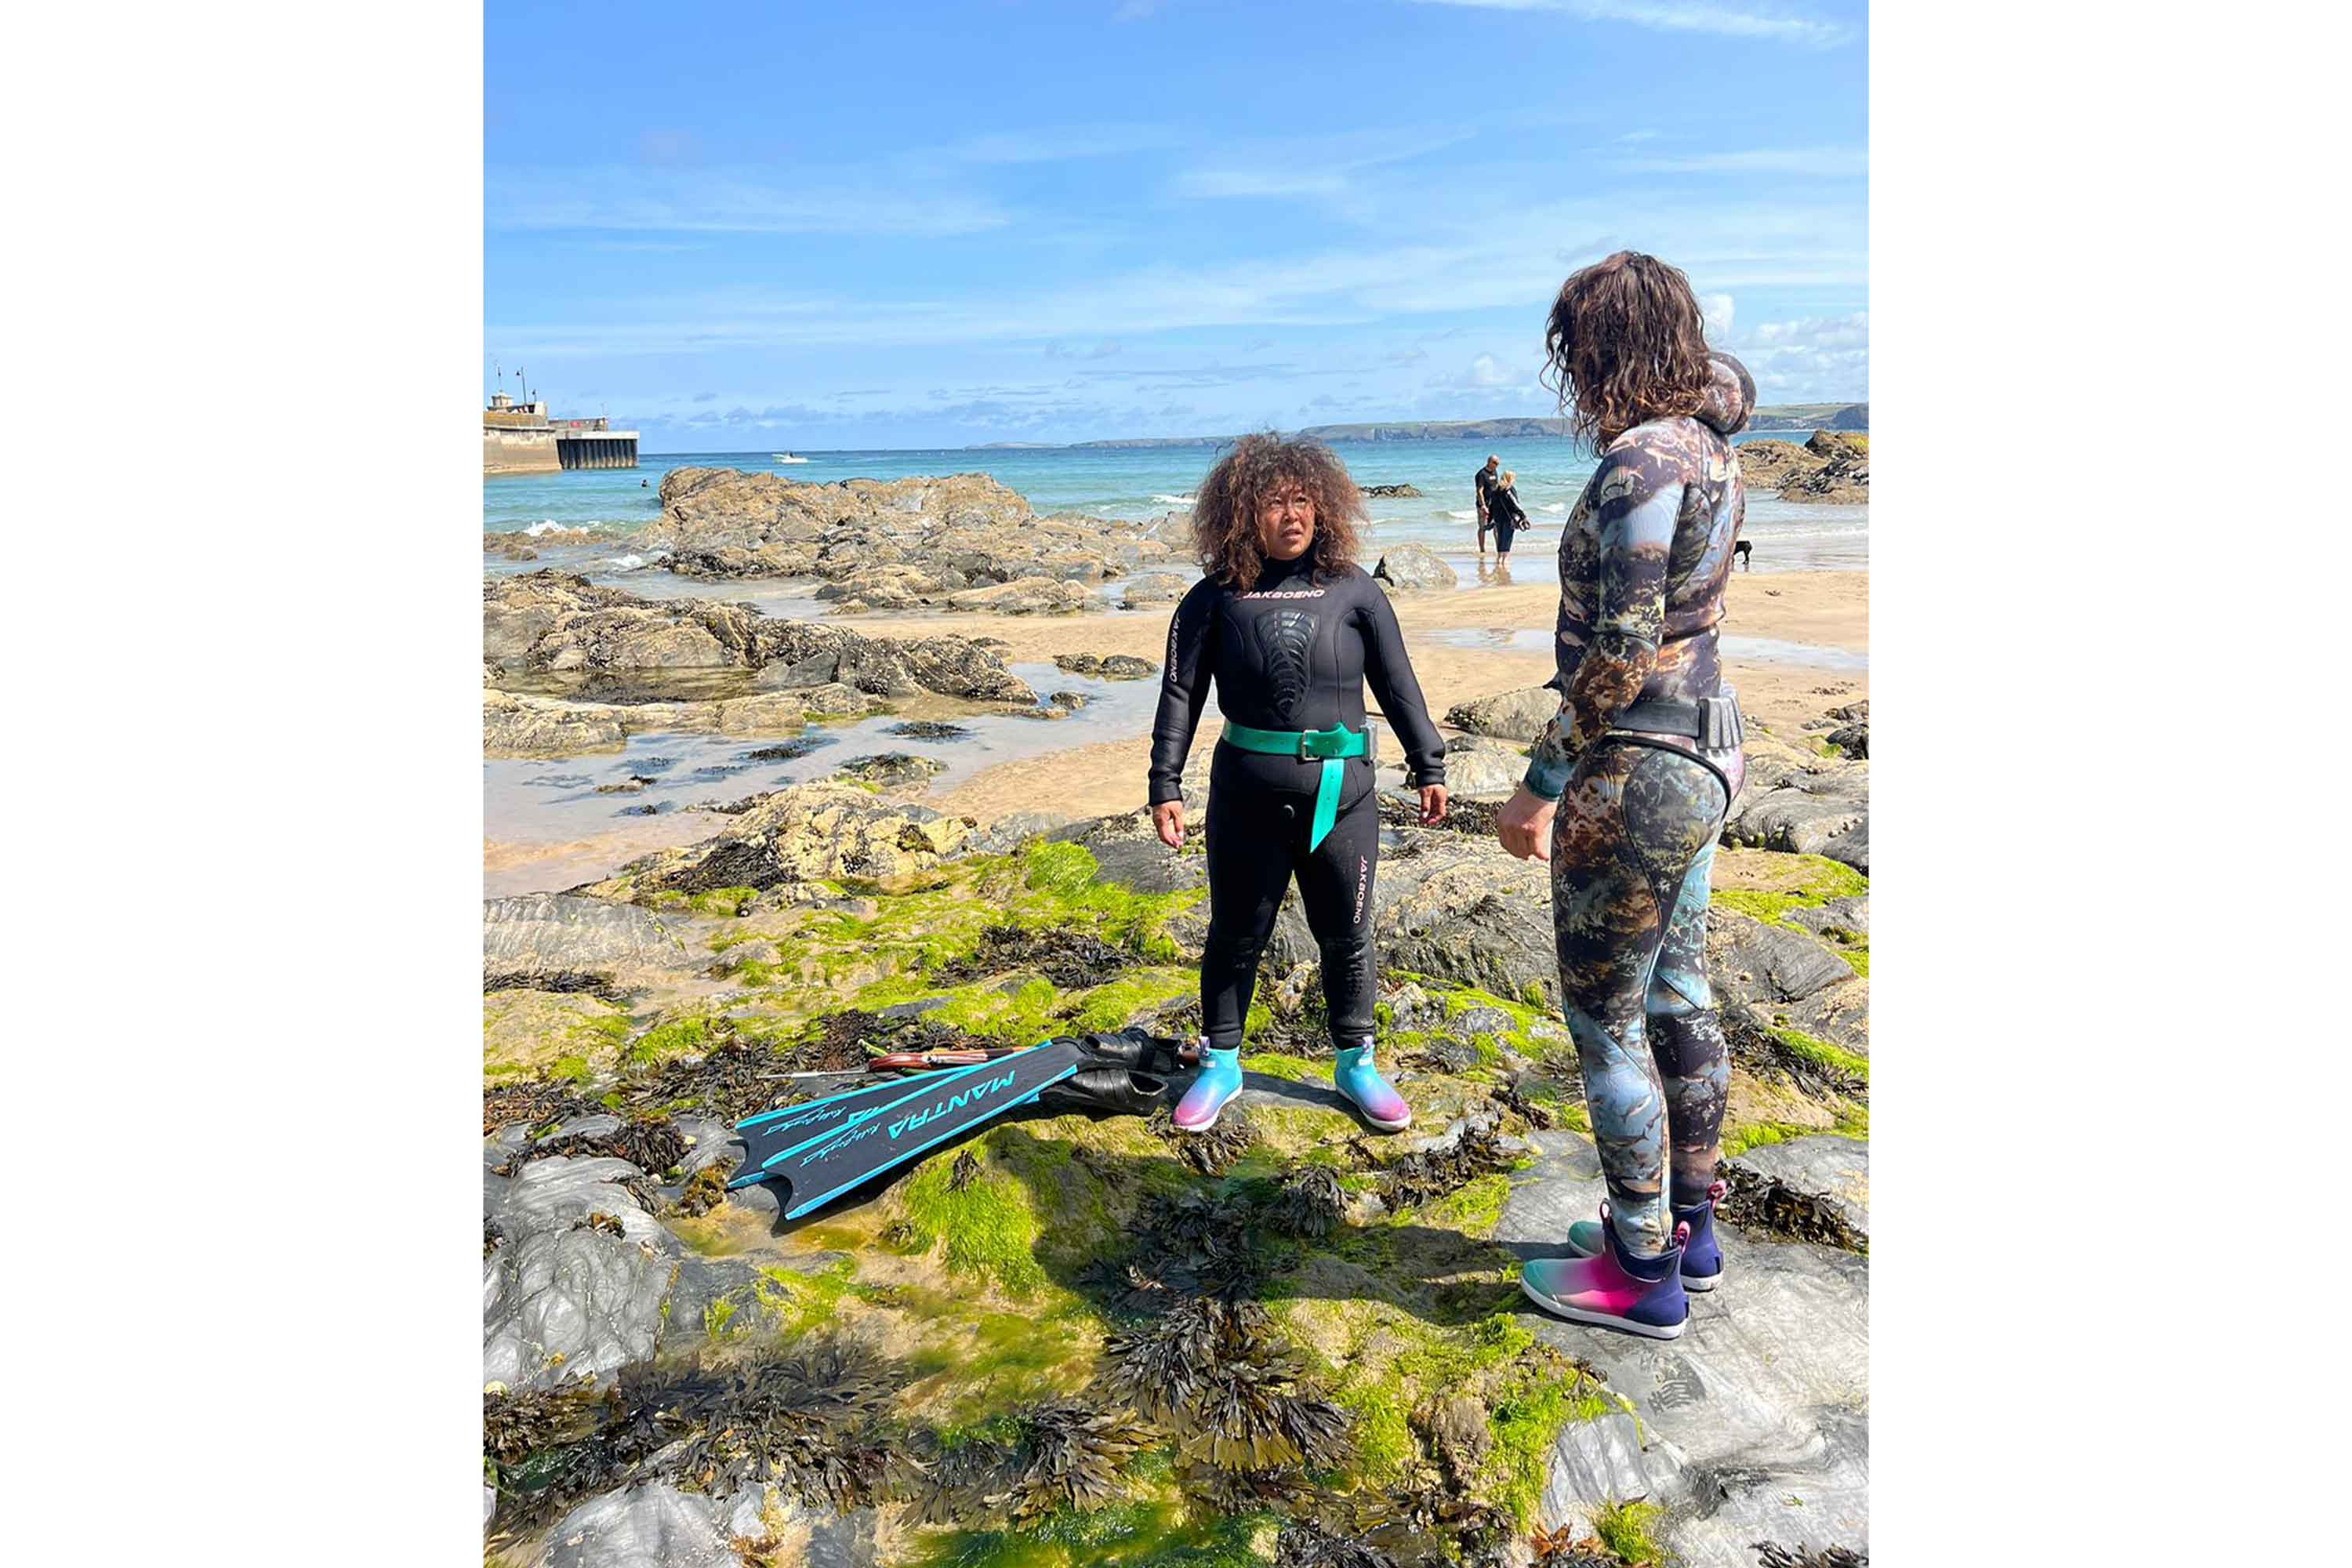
x: 1643, y: 568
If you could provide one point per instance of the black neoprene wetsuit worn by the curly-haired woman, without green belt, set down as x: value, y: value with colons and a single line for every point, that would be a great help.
x: 1288, y: 655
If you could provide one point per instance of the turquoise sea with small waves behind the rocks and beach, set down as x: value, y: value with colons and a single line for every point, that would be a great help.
x: 1156, y: 481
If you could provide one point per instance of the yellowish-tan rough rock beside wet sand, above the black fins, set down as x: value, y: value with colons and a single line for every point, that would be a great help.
x: 806, y: 833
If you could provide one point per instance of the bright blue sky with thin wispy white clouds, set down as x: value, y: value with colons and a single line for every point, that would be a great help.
x: 944, y: 225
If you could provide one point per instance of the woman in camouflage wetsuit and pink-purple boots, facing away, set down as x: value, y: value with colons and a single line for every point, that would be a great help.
x: 1631, y: 782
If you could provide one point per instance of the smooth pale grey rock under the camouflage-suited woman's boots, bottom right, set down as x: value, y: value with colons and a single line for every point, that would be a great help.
x: 1753, y: 1426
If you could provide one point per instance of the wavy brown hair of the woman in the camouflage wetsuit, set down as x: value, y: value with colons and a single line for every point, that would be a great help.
x: 1629, y: 344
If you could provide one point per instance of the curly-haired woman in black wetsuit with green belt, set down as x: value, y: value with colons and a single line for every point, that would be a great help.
x: 1290, y: 629
